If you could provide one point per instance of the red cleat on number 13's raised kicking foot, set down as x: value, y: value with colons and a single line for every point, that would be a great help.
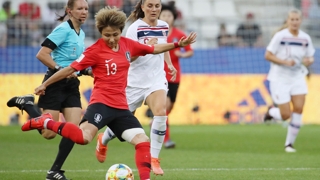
x: 36, y: 123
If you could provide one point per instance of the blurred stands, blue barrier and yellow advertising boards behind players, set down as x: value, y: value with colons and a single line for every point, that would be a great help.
x: 224, y: 82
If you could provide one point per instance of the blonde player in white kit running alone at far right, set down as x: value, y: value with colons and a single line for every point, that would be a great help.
x: 290, y: 52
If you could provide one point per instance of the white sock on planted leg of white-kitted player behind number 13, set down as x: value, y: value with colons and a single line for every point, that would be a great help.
x: 157, y: 133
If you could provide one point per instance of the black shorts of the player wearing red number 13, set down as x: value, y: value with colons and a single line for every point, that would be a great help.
x: 118, y: 120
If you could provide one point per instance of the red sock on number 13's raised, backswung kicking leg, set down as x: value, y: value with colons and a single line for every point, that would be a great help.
x: 67, y: 130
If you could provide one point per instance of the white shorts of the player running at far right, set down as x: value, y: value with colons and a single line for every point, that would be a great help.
x: 281, y: 92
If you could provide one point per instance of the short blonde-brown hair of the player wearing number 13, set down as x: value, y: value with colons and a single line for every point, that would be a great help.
x: 112, y: 17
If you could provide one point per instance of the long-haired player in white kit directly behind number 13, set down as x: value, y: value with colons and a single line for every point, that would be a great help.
x: 147, y: 78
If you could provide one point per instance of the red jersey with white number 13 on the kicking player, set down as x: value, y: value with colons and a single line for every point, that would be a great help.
x: 110, y: 70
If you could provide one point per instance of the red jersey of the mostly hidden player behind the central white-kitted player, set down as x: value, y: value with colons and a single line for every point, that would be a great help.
x: 175, y: 36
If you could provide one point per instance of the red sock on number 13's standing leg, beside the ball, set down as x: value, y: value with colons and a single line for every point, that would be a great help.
x: 143, y: 160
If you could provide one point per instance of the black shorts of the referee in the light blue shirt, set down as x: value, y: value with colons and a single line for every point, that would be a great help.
x: 62, y: 94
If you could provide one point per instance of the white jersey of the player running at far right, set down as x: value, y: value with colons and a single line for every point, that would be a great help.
x: 288, y: 47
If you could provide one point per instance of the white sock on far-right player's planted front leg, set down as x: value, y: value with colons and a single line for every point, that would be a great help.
x: 293, y: 128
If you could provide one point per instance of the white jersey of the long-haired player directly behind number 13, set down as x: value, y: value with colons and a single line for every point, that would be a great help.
x: 148, y: 69
